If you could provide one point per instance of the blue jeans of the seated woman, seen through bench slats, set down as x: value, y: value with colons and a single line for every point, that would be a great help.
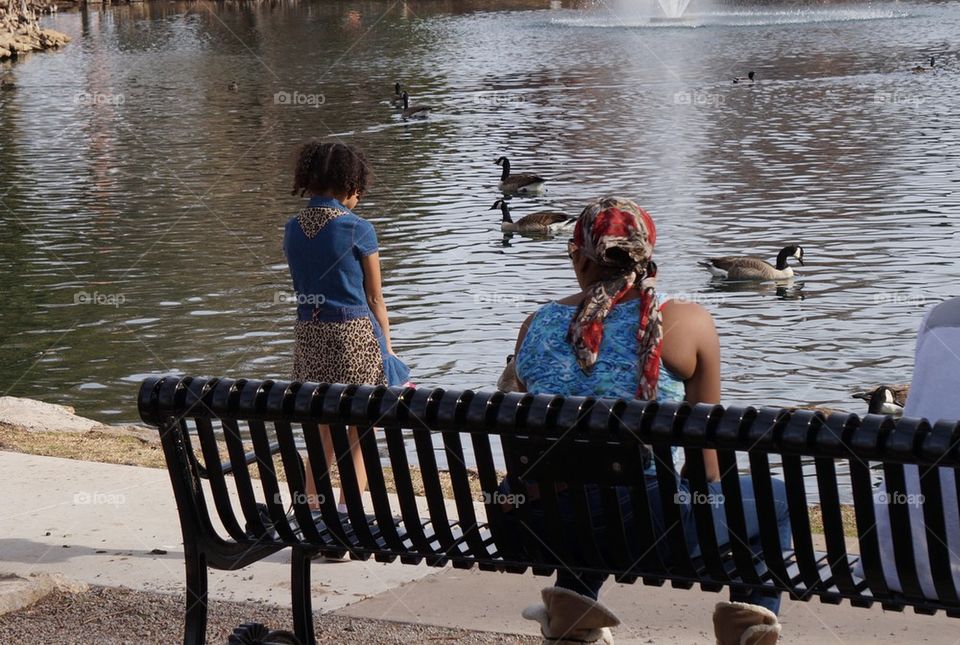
x: 589, y: 584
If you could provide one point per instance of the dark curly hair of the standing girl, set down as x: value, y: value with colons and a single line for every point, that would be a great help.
x: 327, y: 167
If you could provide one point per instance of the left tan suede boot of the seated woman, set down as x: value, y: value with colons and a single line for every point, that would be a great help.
x: 568, y: 618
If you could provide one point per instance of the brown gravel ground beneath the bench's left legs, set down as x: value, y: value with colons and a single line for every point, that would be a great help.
x: 113, y: 616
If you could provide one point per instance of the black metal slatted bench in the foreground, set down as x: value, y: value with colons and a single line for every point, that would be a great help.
x: 572, y: 442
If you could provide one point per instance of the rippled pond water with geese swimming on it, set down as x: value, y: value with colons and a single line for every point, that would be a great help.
x: 143, y: 199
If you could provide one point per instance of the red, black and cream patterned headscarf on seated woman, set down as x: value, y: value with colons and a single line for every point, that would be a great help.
x: 618, y: 235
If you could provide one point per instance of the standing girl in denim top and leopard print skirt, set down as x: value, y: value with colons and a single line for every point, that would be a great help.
x: 342, y: 334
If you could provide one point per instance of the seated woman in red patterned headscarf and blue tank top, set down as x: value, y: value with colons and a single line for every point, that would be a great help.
x: 615, y: 339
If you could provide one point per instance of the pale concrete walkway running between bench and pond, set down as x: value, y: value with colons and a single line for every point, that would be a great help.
x: 117, y: 526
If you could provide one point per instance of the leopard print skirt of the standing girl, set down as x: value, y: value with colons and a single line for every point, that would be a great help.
x: 337, y: 352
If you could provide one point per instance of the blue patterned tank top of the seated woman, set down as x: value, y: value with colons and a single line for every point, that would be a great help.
x: 546, y: 362
